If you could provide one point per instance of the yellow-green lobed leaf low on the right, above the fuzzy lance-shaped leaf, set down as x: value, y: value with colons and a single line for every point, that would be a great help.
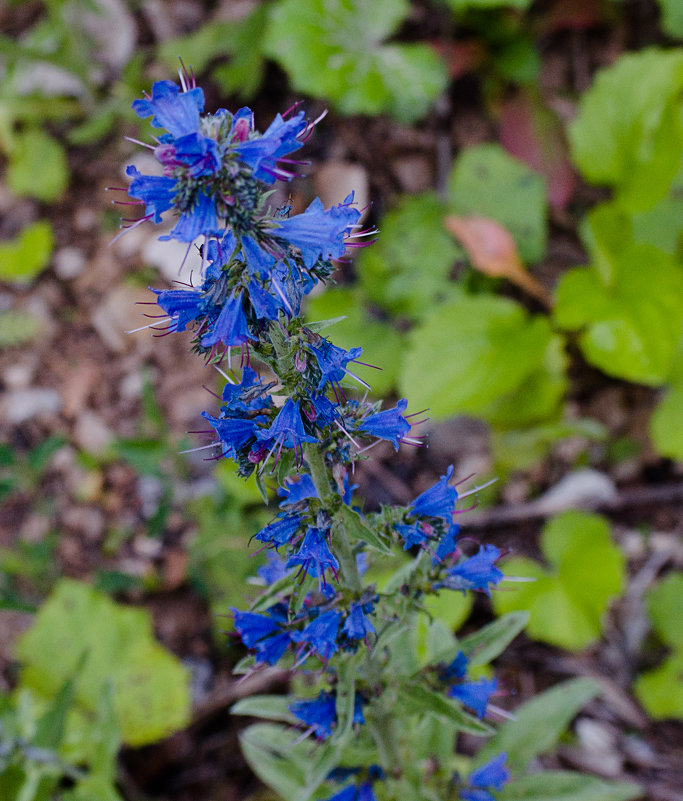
x: 566, y: 604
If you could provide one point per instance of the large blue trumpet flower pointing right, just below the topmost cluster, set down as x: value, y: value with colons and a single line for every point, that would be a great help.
x: 317, y: 233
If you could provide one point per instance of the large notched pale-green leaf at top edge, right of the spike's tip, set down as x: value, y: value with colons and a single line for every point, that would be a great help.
x: 337, y: 51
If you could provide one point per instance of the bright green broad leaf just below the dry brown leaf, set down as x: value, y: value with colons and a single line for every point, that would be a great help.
x: 486, y: 348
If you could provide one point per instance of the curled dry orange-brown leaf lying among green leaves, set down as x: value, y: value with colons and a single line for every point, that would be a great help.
x: 493, y: 250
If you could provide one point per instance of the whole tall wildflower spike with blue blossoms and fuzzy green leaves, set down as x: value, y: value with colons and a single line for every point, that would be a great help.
x: 378, y: 716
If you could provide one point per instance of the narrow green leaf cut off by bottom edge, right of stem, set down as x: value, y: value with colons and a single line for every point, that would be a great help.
x: 567, y: 786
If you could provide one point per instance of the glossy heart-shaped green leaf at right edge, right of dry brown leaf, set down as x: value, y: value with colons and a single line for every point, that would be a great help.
x: 631, y: 325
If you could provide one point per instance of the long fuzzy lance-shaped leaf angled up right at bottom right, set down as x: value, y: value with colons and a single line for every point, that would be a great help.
x: 539, y: 724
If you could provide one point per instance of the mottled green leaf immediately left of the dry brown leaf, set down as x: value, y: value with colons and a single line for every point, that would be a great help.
x: 407, y: 270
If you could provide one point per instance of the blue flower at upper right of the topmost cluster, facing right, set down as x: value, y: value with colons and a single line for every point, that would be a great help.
x: 263, y: 151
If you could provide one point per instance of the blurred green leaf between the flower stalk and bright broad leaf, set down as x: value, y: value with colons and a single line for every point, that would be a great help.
x: 382, y: 344
